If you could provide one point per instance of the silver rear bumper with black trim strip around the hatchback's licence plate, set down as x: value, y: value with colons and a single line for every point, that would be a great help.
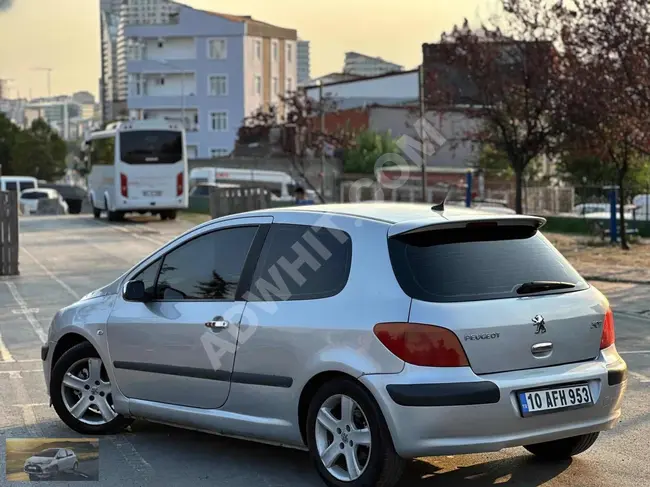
x: 452, y: 411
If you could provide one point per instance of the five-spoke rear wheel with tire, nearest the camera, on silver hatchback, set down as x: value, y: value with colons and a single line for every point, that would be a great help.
x: 349, y: 441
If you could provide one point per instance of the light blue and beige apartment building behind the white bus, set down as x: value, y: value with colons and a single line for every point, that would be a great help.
x: 208, y: 70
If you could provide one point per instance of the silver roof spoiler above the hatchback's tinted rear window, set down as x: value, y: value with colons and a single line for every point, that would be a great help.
x: 428, y: 224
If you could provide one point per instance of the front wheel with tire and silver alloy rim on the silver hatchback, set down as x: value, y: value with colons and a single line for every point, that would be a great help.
x: 82, y: 393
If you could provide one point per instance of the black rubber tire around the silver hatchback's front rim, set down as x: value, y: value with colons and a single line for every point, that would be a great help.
x: 70, y: 357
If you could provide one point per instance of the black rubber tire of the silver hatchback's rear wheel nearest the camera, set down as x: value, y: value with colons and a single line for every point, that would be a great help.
x: 382, y: 467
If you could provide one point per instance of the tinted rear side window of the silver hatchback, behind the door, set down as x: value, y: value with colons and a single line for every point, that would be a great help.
x: 301, y: 262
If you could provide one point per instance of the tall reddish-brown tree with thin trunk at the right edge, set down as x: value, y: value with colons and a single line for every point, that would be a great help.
x: 606, y: 101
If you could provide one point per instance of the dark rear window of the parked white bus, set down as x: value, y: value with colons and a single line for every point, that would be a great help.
x: 151, y: 147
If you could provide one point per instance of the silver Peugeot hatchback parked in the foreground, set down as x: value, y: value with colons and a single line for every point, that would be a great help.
x: 366, y: 333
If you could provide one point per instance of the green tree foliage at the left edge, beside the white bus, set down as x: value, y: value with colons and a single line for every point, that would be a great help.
x: 37, y: 151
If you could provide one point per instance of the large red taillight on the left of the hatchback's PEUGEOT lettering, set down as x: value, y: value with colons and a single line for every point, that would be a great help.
x: 425, y: 345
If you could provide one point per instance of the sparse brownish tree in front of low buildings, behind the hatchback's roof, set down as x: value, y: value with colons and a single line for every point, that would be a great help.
x: 294, y: 125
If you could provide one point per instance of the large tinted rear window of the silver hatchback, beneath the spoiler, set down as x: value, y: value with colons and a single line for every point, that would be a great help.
x: 472, y: 264
